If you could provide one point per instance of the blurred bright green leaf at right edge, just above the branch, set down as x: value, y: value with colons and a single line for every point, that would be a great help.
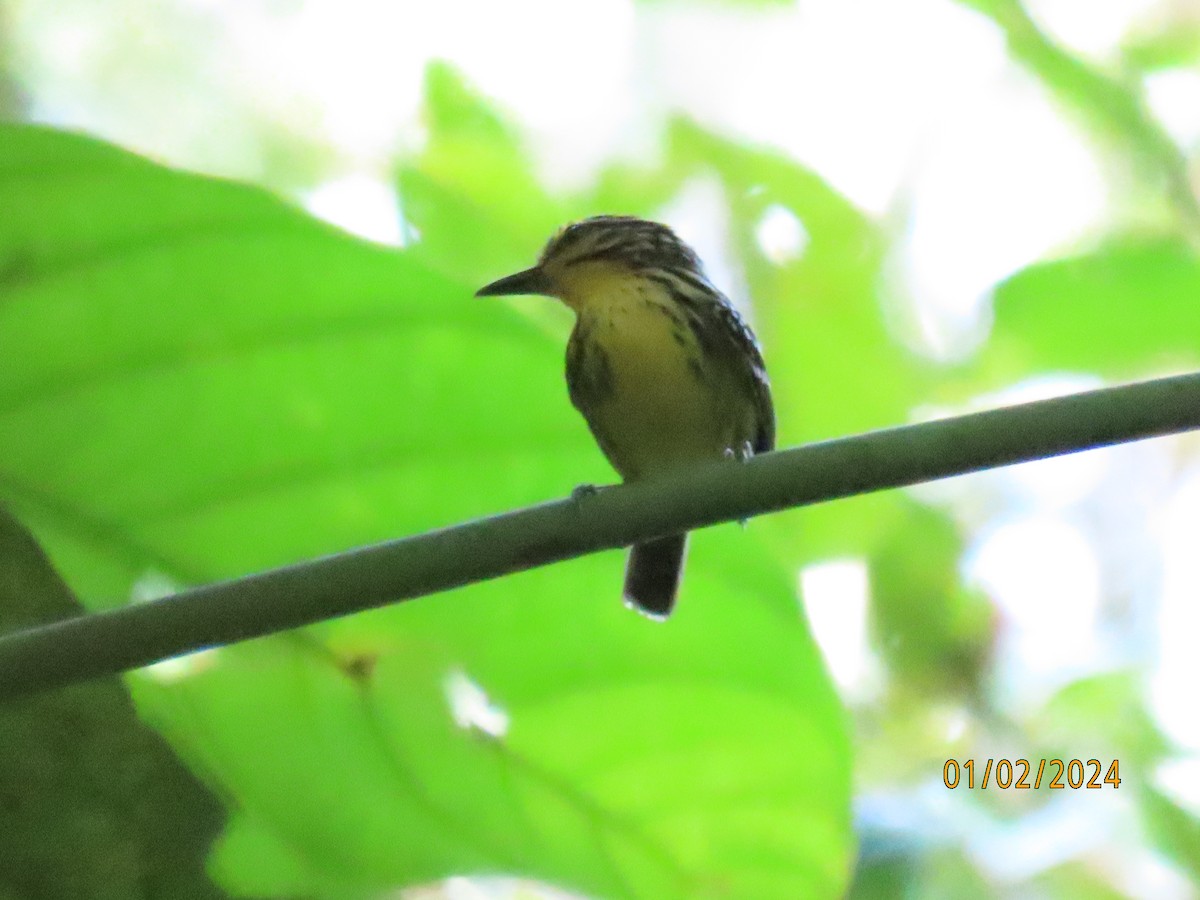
x: 1126, y: 308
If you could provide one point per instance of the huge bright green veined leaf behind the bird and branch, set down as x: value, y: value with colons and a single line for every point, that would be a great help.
x: 199, y: 381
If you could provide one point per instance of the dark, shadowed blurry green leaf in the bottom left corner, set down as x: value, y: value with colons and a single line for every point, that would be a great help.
x: 93, y: 803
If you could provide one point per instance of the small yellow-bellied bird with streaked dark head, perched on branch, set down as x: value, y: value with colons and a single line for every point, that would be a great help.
x: 662, y: 367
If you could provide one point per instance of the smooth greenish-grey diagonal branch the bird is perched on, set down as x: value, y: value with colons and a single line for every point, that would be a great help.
x: 111, y: 643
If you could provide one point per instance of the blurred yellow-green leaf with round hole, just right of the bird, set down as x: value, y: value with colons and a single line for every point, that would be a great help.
x: 836, y: 369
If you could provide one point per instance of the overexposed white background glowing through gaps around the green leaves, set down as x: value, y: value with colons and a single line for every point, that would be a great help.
x: 921, y: 119
